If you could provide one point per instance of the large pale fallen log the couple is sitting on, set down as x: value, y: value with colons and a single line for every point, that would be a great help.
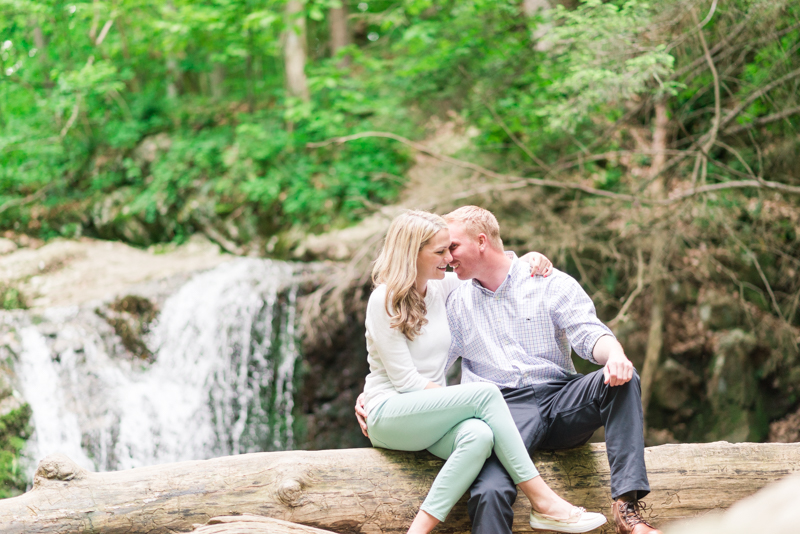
x: 366, y: 490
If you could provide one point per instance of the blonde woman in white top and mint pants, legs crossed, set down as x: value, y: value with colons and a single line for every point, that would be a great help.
x: 407, y: 406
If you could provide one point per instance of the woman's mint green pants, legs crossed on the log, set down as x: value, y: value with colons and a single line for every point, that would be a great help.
x: 461, y: 424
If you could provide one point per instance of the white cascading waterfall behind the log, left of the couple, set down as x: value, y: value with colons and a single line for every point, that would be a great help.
x: 220, y: 383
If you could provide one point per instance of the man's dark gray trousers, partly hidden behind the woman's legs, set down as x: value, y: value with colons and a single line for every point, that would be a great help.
x: 561, y: 414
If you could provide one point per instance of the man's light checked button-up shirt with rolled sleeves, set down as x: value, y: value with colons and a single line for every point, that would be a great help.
x: 521, y: 334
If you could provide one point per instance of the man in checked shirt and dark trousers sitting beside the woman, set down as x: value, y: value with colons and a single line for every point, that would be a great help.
x: 517, y: 332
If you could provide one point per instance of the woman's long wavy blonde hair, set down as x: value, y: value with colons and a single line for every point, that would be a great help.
x: 396, y: 267
